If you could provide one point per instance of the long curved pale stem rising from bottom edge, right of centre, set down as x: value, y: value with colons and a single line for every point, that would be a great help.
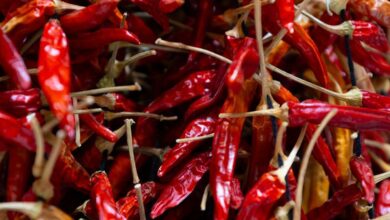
x: 305, y: 161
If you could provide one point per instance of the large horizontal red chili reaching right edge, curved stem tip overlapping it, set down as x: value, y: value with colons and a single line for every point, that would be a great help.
x: 355, y: 118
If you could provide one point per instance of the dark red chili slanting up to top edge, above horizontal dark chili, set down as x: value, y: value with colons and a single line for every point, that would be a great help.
x: 88, y: 18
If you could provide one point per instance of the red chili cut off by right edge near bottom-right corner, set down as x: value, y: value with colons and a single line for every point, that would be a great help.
x: 382, y: 205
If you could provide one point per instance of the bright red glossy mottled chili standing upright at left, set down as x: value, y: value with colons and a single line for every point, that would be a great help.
x: 54, y: 75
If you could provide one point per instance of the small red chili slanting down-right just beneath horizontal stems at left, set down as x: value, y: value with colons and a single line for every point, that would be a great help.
x: 97, y: 127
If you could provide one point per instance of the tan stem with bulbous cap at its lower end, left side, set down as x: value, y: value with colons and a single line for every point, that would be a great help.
x: 42, y: 186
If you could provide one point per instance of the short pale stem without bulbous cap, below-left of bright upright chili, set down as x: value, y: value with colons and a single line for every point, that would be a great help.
x: 39, y: 160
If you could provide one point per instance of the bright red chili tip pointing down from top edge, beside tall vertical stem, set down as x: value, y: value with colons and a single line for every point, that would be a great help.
x: 286, y: 14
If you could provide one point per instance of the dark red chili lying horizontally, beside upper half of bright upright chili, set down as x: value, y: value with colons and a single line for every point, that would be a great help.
x: 102, y: 38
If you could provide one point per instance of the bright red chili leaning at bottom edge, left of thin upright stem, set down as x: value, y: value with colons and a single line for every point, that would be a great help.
x: 101, y: 197
